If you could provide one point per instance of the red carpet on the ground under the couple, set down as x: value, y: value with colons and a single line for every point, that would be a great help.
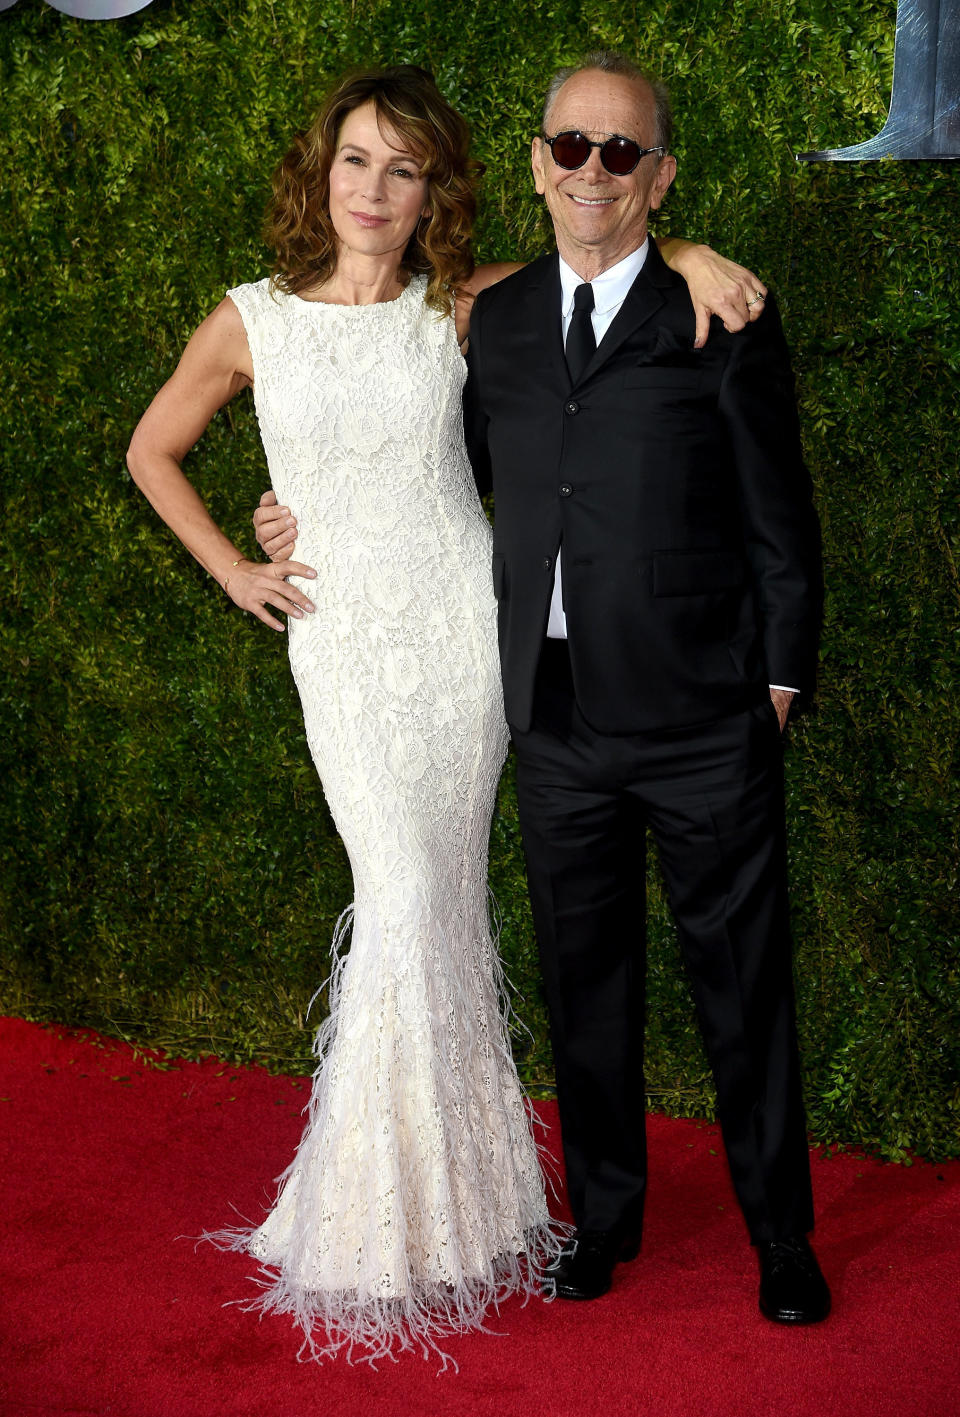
x: 106, y: 1163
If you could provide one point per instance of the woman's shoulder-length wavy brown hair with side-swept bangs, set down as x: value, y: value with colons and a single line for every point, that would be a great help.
x: 298, y: 220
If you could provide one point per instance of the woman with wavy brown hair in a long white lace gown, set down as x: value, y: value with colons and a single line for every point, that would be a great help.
x: 415, y: 1199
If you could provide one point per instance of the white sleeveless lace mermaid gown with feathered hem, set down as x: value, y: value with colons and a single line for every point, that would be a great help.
x: 415, y: 1201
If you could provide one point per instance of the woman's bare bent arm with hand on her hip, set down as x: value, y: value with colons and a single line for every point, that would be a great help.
x: 215, y: 368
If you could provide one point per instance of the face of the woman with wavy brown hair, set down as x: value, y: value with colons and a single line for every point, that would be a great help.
x: 378, y: 195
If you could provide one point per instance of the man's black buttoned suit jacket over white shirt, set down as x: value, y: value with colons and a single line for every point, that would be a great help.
x: 674, y: 480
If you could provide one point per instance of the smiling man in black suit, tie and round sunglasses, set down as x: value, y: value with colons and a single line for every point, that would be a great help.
x: 657, y: 568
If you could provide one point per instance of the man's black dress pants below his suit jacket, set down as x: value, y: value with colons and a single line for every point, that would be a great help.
x: 713, y: 797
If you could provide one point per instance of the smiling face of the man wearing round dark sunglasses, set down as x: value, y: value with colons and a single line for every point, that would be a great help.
x: 599, y: 218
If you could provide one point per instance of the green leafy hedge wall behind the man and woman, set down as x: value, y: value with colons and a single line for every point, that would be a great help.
x: 169, y: 868
